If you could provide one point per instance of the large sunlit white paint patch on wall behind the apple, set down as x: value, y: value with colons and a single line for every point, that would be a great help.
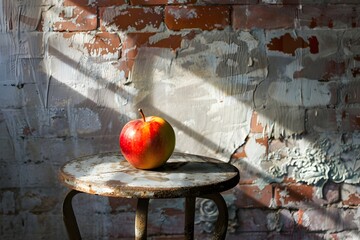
x: 193, y: 96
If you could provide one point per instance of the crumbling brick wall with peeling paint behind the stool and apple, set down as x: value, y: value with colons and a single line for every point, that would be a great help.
x: 271, y: 86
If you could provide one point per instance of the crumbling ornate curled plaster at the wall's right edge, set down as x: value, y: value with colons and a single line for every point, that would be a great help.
x: 318, y: 160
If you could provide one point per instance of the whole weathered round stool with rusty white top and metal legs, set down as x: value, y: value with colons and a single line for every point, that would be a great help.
x: 183, y: 176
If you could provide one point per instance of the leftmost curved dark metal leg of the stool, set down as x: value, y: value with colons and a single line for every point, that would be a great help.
x: 69, y: 217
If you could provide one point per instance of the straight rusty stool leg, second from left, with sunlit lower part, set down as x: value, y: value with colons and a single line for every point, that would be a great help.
x: 141, y: 219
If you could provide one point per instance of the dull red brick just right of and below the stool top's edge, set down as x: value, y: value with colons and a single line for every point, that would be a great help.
x: 248, y: 196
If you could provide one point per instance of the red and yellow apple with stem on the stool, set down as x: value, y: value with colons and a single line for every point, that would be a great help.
x: 147, y: 143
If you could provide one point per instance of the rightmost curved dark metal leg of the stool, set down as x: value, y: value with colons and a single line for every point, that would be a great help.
x: 223, y: 218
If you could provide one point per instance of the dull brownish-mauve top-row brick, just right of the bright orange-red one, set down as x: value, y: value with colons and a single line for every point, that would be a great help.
x: 263, y: 16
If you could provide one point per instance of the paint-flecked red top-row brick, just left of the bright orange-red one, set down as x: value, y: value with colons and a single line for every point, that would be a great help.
x: 132, y: 19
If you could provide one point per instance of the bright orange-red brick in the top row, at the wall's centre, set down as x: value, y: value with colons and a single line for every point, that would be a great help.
x: 199, y: 17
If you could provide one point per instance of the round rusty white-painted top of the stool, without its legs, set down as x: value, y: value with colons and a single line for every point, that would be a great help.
x: 183, y: 175
